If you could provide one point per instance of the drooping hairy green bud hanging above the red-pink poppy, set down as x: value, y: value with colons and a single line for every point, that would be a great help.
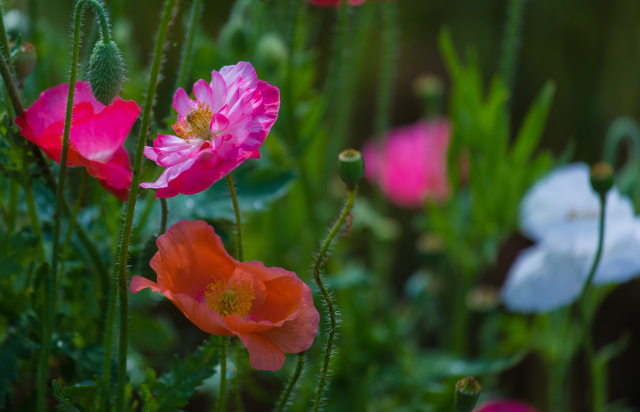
x: 106, y: 72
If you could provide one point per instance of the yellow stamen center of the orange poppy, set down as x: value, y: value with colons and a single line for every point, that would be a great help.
x: 230, y: 298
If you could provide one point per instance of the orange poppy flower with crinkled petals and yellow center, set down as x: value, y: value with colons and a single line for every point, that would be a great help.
x: 270, y: 309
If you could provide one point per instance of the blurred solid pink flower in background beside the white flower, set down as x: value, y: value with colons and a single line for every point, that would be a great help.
x: 411, y: 165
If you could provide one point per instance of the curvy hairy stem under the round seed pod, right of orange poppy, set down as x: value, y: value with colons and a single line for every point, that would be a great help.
x: 317, y: 268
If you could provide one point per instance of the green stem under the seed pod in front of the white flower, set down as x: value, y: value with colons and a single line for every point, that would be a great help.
x: 598, y: 385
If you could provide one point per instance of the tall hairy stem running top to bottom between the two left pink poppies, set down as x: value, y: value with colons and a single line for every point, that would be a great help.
x: 123, y: 249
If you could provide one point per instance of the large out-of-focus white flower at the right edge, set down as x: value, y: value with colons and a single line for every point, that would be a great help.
x: 561, y: 212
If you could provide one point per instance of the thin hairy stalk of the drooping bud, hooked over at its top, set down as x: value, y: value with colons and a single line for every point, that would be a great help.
x: 51, y: 286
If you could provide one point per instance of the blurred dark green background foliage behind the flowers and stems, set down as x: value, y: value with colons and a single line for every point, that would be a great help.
x: 407, y: 331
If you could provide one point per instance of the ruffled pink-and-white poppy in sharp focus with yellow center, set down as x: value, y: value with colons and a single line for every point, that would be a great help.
x: 222, y: 128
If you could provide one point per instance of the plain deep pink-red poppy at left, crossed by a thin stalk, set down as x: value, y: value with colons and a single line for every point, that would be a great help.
x: 96, y: 138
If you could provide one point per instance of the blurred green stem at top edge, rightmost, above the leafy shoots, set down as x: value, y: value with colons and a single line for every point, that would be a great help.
x: 511, y: 41
